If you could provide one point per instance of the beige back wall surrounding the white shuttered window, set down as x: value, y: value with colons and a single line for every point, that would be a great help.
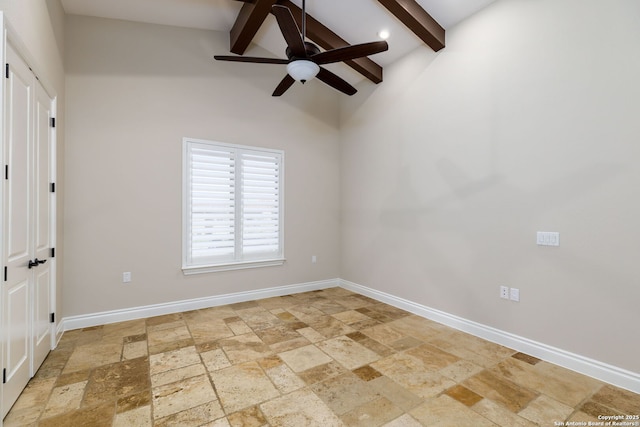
x: 133, y: 92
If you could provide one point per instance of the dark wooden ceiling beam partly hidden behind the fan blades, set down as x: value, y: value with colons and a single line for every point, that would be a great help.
x: 327, y: 39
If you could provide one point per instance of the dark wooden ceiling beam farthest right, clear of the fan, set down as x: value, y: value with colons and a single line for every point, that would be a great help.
x: 414, y: 17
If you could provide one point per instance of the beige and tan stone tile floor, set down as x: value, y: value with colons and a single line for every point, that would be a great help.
x: 323, y: 358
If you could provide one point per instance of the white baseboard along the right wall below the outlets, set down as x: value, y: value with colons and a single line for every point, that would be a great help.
x: 584, y: 365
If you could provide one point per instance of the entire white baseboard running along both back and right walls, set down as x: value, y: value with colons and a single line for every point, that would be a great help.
x: 584, y: 365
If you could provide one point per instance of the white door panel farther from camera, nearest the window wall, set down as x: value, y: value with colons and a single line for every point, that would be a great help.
x: 42, y: 214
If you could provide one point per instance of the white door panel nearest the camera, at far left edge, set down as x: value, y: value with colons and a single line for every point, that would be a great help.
x: 17, y: 236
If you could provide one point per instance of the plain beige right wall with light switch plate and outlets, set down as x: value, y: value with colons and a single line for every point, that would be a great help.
x: 527, y: 121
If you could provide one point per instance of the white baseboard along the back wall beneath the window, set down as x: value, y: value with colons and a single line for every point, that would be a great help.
x: 114, y: 316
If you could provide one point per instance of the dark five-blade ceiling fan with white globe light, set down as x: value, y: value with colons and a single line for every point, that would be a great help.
x: 305, y: 58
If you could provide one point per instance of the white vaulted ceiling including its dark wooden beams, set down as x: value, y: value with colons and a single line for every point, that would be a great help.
x: 330, y: 23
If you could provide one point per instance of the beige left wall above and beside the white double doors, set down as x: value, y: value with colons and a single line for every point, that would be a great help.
x: 38, y: 28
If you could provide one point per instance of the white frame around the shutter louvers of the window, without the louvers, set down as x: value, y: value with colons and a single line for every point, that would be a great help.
x: 239, y: 260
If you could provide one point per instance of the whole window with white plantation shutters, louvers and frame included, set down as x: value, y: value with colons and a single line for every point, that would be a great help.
x: 232, y: 206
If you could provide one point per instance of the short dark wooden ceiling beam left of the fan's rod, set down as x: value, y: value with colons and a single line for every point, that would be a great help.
x: 247, y: 24
